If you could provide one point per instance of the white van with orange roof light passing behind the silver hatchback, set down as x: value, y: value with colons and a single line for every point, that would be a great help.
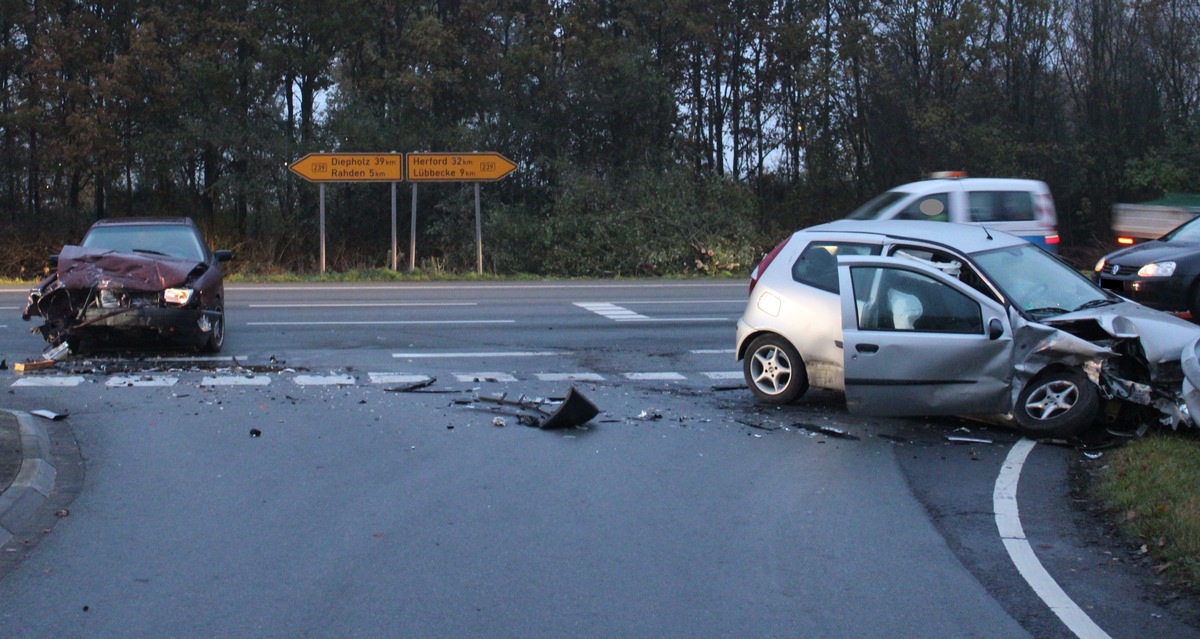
x: 1023, y: 208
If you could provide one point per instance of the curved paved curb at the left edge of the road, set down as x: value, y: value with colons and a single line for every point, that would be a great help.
x: 35, y: 480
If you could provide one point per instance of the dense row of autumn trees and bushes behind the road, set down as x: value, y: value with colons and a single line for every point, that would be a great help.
x: 652, y: 136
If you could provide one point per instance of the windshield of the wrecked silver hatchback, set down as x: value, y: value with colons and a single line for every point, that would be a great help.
x: 1039, y: 284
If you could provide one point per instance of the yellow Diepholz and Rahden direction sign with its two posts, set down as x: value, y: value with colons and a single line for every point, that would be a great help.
x: 326, y: 168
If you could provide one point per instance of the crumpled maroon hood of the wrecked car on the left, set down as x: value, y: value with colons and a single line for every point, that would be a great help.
x: 86, y: 268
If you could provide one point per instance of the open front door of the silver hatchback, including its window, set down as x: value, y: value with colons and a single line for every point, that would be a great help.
x: 919, y: 342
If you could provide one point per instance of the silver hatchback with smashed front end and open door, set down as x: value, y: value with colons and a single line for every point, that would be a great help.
x: 922, y: 319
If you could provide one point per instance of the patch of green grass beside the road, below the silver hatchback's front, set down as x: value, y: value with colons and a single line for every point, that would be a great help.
x: 1154, y: 487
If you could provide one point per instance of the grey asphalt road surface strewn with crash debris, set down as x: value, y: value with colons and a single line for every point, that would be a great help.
x: 683, y: 510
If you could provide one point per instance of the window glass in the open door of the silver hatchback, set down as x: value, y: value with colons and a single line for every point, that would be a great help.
x: 893, y: 300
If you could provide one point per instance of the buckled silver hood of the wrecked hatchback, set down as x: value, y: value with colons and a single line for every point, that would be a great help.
x: 1163, y: 337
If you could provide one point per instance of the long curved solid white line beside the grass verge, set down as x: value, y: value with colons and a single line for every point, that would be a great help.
x: 1009, y: 523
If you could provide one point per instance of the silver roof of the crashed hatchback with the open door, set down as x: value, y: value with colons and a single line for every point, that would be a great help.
x: 965, y: 238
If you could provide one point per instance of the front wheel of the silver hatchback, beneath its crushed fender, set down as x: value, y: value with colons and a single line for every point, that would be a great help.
x: 1058, y: 404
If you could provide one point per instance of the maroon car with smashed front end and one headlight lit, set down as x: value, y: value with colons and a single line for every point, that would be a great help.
x: 135, y: 278
